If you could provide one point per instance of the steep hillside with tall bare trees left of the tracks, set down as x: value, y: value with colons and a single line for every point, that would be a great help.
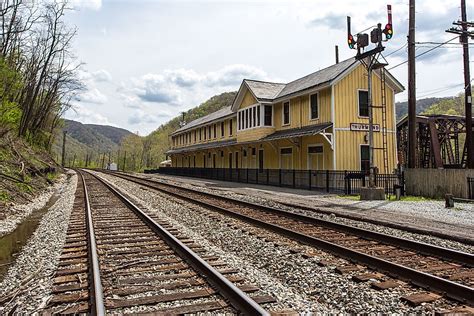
x: 38, y: 79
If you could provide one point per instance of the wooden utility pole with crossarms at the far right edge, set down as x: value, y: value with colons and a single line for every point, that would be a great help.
x: 464, y: 37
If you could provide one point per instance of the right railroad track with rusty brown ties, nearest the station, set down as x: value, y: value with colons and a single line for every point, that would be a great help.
x: 445, y: 271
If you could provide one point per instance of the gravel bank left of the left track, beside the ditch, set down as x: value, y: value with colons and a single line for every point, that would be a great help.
x: 26, y: 286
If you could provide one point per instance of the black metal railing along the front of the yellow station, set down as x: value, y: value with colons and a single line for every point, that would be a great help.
x: 347, y: 182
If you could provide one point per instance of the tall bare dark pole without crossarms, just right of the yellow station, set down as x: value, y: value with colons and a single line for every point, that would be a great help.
x: 411, y: 87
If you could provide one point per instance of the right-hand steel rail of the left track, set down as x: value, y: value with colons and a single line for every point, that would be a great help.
x: 237, y: 298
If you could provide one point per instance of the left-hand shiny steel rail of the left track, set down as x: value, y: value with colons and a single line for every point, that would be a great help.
x: 97, y: 297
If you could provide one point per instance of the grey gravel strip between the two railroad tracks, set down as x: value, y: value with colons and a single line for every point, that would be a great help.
x: 290, y: 277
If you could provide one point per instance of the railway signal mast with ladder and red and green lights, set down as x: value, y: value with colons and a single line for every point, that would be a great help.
x: 370, y: 60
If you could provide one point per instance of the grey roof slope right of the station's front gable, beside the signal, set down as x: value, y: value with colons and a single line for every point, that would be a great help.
x: 317, y: 78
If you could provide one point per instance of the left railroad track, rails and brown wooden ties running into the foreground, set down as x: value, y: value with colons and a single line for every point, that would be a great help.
x: 118, y: 259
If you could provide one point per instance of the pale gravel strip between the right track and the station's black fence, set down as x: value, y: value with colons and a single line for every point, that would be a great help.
x: 429, y: 216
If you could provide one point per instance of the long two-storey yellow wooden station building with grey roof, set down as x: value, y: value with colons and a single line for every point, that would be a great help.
x: 318, y: 122
